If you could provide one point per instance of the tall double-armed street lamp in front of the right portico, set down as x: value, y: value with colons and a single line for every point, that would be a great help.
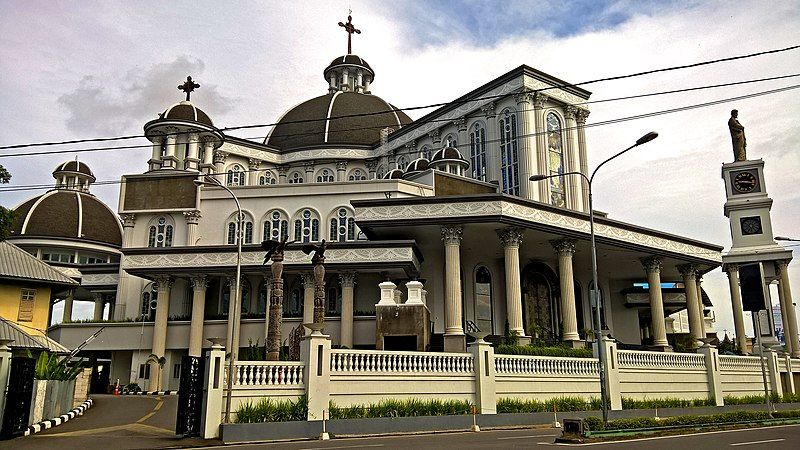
x: 595, y: 294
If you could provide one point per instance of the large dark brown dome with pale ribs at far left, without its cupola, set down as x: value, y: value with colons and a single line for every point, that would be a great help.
x: 68, y: 214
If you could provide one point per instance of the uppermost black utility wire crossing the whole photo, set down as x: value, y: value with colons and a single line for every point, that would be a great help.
x: 433, y: 105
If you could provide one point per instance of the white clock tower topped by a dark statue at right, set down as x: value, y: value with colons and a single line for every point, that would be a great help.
x: 748, y: 208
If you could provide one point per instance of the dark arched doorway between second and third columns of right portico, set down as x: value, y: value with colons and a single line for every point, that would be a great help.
x: 540, y: 311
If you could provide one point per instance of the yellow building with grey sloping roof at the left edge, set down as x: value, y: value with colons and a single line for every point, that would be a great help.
x: 27, y: 286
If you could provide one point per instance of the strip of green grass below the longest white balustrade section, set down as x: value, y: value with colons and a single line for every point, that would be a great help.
x: 402, y: 408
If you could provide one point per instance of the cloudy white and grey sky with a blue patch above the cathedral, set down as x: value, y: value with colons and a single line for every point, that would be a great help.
x: 73, y: 70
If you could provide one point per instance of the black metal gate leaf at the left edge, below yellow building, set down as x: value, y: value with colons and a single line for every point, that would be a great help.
x: 18, y: 397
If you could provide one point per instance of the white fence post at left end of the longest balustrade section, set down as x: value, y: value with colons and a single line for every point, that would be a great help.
x: 315, y: 352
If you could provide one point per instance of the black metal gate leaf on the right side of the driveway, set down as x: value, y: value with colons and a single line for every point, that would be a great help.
x: 190, y: 396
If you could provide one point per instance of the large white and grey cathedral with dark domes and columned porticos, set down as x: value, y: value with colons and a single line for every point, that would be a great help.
x: 444, y: 201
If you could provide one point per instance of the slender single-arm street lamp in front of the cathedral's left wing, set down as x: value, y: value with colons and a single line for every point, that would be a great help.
x: 237, y: 307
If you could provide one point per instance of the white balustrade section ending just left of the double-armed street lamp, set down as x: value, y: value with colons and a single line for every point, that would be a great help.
x: 545, y: 365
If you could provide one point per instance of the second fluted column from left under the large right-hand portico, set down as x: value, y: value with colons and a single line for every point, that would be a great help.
x: 512, y: 239
